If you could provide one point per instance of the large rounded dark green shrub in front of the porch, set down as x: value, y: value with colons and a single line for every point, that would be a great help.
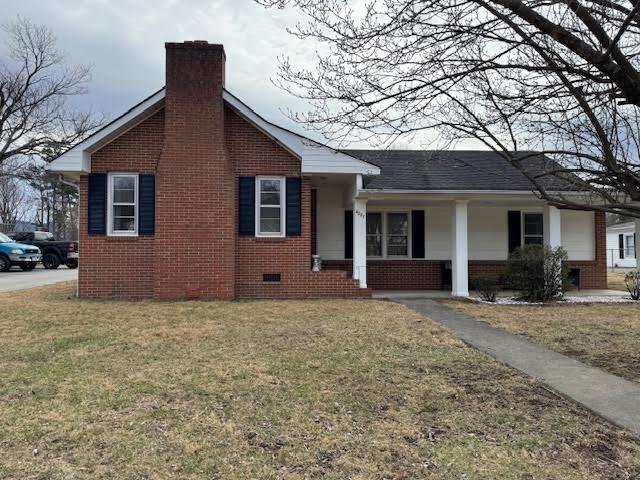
x: 538, y: 273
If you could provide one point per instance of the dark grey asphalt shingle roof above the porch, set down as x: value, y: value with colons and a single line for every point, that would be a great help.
x: 453, y: 170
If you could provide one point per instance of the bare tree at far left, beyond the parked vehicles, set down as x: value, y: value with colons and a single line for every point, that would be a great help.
x: 36, y: 84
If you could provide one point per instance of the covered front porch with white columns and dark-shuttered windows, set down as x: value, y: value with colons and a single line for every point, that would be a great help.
x: 438, y: 241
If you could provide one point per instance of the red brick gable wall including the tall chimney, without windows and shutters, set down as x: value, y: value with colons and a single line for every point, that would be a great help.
x: 197, y: 148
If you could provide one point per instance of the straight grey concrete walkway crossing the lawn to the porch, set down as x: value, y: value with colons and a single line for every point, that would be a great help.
x: 611, y: 397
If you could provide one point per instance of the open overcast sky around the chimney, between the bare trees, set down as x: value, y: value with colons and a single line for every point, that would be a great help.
x: 124, y: 42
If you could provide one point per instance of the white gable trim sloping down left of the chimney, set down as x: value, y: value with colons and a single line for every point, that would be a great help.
x: 78, y: 158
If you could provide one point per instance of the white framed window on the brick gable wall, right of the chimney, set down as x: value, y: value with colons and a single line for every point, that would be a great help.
x: 270, y: 206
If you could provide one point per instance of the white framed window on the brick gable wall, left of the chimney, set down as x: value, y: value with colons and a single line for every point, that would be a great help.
x: 122, y: 215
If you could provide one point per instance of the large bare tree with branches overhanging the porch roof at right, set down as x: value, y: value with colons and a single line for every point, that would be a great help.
x: 522, y: 77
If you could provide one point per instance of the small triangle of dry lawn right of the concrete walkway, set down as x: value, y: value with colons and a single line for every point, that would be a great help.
x: 603, y: 335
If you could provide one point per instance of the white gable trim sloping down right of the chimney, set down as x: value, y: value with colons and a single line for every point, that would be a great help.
x: 315, y: 157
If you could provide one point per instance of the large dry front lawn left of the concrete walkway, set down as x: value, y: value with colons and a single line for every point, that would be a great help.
x: 274, y: 390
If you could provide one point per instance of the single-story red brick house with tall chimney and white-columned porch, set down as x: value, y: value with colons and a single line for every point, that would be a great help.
x: 191, y: 194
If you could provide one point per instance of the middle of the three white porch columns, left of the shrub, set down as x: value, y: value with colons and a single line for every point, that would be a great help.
x: 460, y: 250
